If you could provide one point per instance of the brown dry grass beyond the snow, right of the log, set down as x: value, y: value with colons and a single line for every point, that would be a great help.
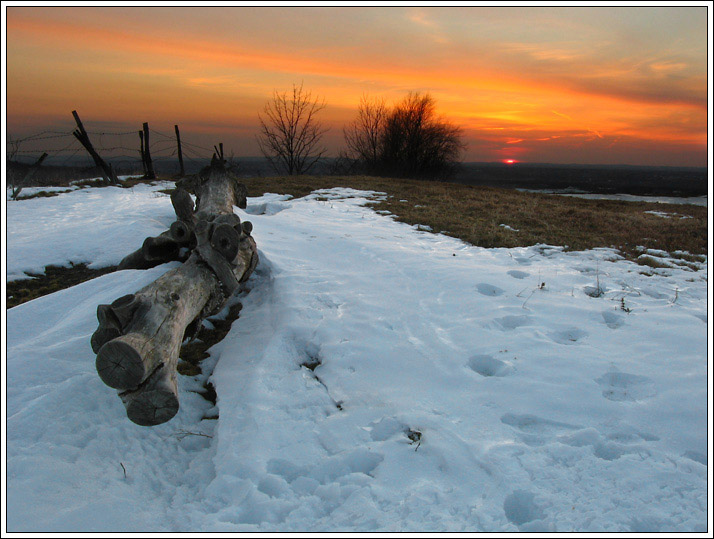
x: 475, y: 214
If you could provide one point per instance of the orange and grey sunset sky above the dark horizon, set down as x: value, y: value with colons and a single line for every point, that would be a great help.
x: 600, y: 85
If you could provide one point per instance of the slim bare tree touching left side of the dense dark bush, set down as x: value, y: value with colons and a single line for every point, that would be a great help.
x: 363, y: 135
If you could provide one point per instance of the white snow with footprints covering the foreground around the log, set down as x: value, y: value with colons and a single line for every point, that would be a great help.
x: 458, y: 388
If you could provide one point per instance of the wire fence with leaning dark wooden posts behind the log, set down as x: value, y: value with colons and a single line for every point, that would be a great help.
x: 121, y: 149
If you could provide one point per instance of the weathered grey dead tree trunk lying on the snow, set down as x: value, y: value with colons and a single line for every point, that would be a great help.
x: 139, y: 336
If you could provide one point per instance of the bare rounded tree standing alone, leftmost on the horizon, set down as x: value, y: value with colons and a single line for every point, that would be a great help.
x: 290, y: 132
